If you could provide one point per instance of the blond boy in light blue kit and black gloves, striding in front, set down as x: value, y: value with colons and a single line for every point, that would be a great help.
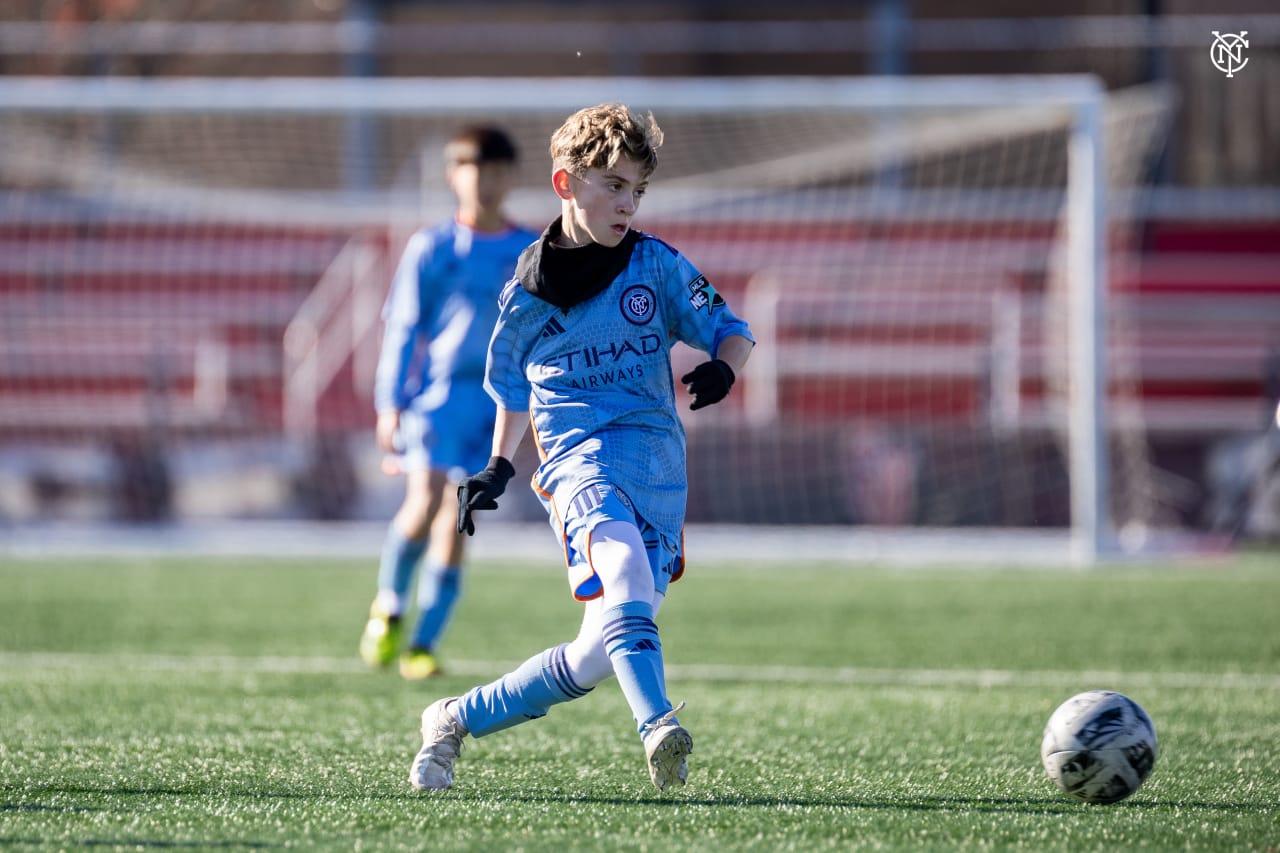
x: 582, y: 350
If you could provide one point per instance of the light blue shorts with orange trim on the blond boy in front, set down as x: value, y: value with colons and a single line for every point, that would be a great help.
x: 593, y: 505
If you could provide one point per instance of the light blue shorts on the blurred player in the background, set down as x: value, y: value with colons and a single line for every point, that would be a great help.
x: 455, y: 437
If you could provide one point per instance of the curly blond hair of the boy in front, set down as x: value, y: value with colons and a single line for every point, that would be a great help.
x: 597, y: 138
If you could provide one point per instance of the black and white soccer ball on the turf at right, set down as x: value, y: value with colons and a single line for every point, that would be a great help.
x: 1099, y: 747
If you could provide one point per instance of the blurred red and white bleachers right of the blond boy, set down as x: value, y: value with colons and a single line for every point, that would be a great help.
x: 1195, y: 343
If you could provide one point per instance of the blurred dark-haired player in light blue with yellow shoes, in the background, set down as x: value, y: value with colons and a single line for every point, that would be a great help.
x: 435, y: 418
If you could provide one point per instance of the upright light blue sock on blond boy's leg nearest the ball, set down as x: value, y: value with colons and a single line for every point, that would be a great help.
x: 633, y: 646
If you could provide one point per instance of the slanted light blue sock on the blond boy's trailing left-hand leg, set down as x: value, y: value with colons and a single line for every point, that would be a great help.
x: 524, y: 695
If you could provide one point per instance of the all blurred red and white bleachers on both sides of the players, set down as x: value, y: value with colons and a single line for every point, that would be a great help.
x: 134, y: 329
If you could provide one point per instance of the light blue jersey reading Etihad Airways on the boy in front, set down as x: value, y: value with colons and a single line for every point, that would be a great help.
x: 598, y: 385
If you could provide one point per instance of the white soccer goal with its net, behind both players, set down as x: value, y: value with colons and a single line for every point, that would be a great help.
x: 193, y: 275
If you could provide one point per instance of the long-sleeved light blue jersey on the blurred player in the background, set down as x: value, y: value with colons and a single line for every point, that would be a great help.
x: 441, y: 312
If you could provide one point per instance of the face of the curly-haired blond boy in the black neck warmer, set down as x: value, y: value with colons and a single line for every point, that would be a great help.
x: 598, y: 207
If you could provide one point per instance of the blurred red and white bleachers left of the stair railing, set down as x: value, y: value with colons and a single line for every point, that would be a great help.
x: 132, y: 327
